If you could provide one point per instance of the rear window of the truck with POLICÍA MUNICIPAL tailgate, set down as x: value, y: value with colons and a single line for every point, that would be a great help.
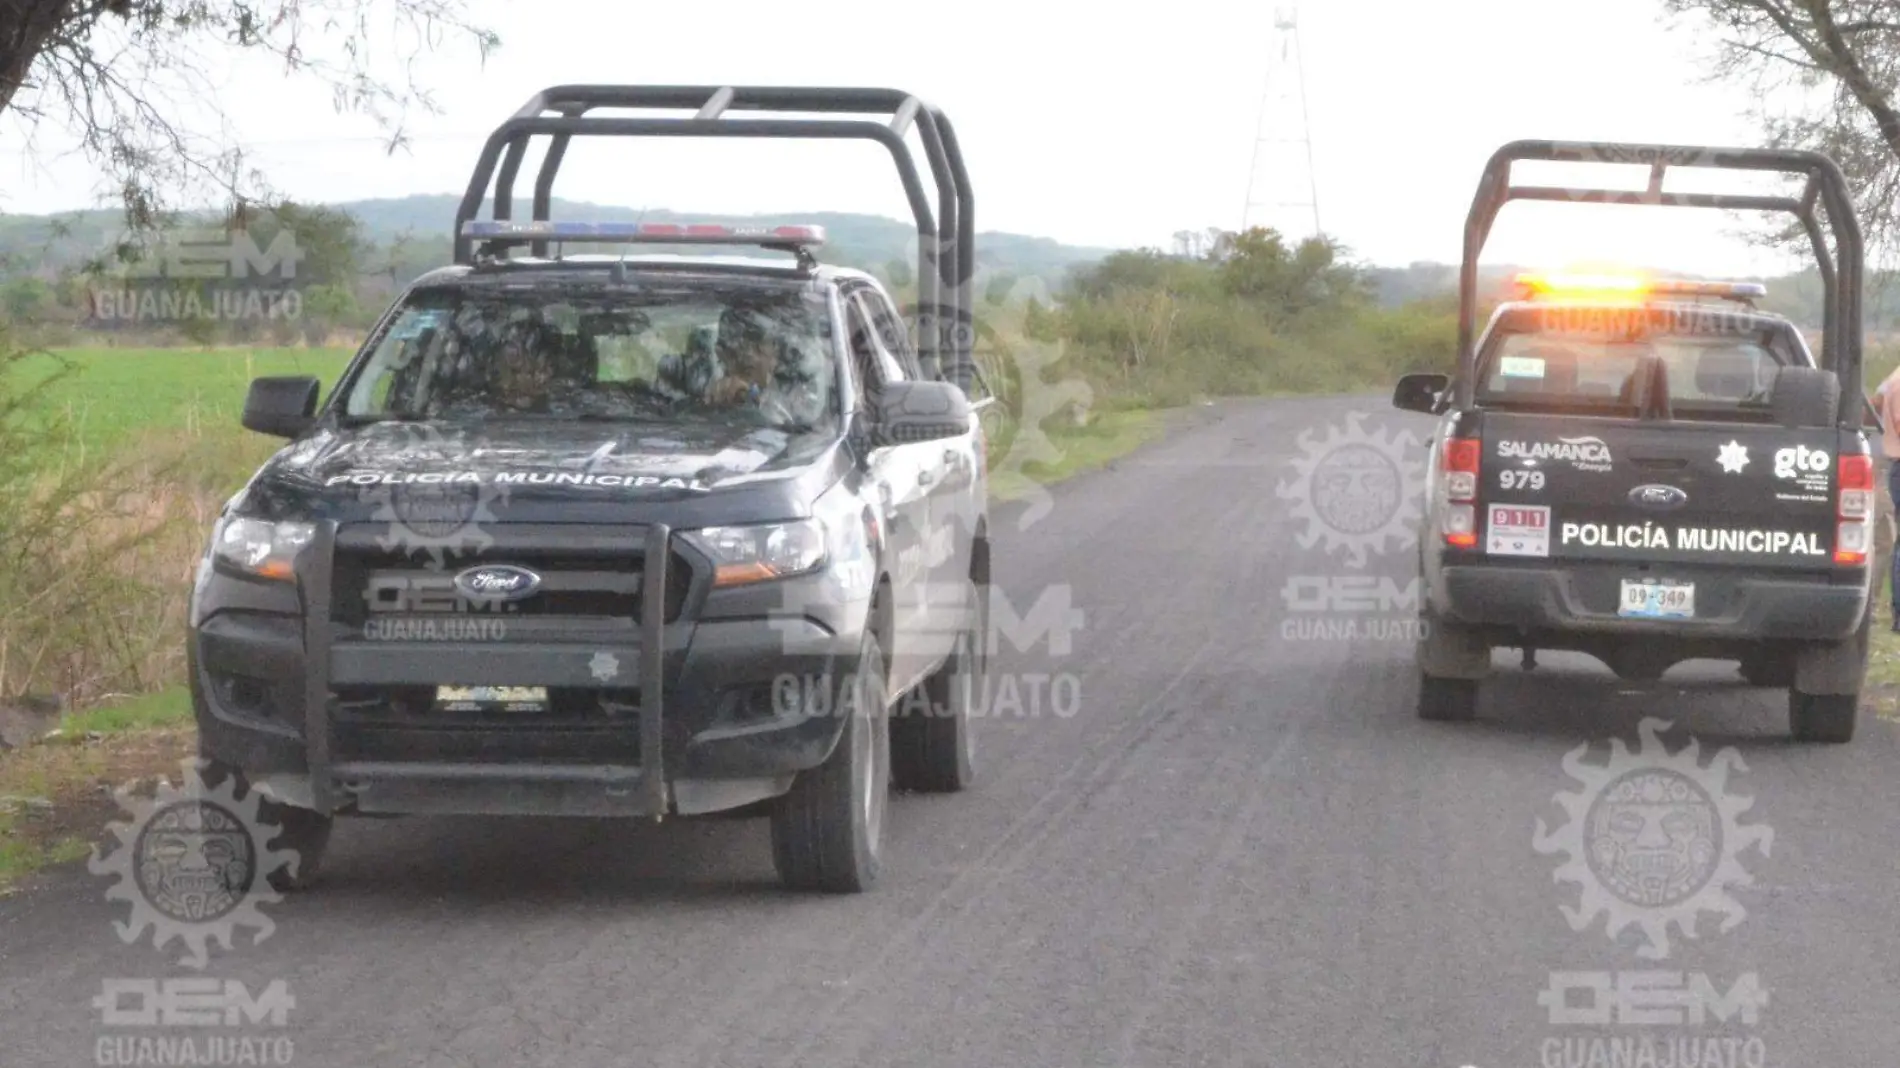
x: 1719, y: 375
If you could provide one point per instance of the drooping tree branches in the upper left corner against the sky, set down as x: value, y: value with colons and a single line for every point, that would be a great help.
x: 130, y: 79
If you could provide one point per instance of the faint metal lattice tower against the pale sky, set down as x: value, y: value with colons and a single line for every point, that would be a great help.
x: 1282, y: 181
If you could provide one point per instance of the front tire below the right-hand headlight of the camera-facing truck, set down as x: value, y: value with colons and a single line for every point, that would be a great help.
x: 827, y: 833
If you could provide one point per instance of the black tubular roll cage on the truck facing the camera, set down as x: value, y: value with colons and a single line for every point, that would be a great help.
x: 947, y: 237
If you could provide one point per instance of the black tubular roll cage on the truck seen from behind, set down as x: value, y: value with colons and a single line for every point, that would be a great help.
x: 1827, y: 189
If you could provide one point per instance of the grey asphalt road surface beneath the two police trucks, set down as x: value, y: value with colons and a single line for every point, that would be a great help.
x: 1240, y: 850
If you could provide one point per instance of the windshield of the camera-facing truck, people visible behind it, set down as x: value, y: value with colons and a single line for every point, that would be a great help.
x: 658, y: 354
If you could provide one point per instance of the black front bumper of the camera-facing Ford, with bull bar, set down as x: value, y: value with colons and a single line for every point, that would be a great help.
x: 666, y: 717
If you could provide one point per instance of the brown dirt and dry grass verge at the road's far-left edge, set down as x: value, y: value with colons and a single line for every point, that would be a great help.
x: 56, y: 799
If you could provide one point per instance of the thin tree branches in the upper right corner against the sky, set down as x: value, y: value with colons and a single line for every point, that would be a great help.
x: 1842, y: 62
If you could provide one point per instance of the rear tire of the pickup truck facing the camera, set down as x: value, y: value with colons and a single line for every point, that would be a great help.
x: 934, y: 742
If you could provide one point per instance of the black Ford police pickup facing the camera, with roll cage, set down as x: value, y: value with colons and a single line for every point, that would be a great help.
x: 618, y: 535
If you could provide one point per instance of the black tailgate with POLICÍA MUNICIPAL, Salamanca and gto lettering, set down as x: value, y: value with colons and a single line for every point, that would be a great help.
x: 1591, y: 489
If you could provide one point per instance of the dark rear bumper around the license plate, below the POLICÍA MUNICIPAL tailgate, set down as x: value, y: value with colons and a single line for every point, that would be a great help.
x: 1584, y: 600
